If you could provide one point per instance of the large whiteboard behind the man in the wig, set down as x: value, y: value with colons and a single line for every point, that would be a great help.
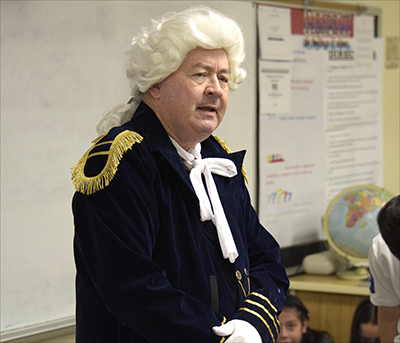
x: 62, y: 66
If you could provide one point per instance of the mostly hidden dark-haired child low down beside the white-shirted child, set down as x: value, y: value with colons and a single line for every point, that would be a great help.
x: 364, y: 328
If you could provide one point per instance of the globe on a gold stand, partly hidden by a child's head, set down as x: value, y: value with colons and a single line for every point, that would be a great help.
x: 350, y: 225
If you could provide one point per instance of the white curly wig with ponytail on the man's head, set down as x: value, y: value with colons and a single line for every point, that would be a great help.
x: 159, y: 50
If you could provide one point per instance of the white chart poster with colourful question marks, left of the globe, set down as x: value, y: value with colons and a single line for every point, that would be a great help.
x: 292, y: 156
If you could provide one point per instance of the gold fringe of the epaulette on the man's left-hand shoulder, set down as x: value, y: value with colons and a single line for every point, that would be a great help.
x: 120, y: 145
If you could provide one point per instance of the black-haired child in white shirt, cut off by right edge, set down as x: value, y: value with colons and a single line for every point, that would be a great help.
x: 384, y: 263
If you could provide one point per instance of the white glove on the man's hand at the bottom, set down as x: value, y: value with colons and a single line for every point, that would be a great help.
x: 239, y: 331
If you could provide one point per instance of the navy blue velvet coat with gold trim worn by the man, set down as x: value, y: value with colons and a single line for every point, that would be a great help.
x: 148, y: 270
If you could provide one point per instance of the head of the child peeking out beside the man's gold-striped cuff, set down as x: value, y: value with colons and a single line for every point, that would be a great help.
x: 294, y: 320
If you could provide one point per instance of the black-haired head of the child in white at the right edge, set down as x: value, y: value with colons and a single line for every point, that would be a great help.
x: 389, y: 225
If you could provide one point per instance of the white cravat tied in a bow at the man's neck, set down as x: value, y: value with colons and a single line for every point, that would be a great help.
x: 221, y: 166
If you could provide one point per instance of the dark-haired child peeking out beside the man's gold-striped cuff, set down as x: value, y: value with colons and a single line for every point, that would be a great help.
x: 294, y: 324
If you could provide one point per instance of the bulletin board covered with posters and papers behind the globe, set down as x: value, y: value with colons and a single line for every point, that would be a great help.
x: 320, y: 114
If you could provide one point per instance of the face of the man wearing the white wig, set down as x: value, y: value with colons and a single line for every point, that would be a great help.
x: 192, y: 101
